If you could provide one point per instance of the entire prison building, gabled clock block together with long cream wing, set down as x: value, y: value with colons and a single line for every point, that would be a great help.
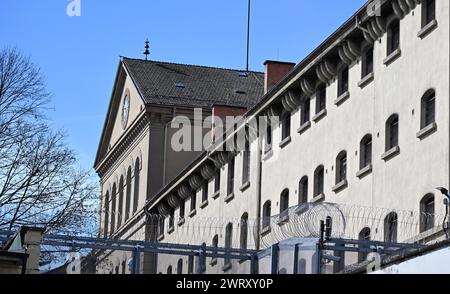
x: 363, y: 124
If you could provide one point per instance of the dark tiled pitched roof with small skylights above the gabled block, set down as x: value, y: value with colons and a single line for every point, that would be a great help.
x: 164, y: 83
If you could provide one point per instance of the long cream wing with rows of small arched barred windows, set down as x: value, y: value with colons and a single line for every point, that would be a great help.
x: 363, y: 122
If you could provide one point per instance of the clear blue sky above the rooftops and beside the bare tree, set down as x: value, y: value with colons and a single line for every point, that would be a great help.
x: 79, y: 55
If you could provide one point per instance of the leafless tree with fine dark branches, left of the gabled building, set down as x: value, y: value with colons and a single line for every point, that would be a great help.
x: 40, y: 183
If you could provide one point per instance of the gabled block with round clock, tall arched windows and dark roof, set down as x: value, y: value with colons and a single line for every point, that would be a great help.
x: 134, y: 158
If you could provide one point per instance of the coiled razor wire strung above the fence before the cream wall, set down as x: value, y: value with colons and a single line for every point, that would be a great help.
x: 301, y: 221
